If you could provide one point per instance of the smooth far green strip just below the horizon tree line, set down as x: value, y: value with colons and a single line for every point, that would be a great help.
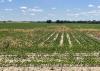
x: 46, y: 25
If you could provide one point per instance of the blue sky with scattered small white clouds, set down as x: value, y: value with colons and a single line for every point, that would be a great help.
x: 41, y: 10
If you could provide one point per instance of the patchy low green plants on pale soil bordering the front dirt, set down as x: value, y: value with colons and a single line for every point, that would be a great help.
x: 70, y: 60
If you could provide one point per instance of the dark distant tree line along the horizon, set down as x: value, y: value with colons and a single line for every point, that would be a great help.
x: 57, y: 21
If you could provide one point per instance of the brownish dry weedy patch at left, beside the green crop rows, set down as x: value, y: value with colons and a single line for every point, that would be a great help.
x: 9, y: 41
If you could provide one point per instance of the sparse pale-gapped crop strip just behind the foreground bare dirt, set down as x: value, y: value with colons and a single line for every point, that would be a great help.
x: 68, y: 59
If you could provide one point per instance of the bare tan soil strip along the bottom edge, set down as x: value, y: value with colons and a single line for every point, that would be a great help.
x: 50, y: 69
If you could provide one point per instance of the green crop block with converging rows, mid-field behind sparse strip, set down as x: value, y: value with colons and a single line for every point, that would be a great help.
x: 43, y: 41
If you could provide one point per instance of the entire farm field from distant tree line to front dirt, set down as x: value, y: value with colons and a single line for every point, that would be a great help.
x: 49, y: 45
